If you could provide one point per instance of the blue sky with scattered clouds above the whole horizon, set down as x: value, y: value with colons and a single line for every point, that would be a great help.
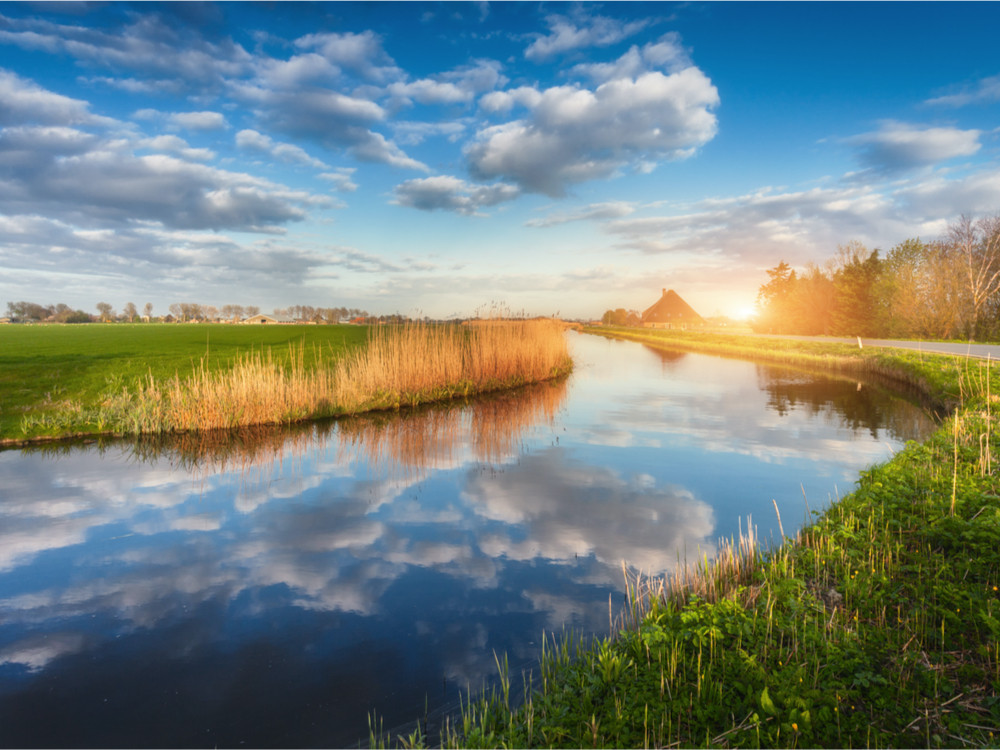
x: 442, y: 159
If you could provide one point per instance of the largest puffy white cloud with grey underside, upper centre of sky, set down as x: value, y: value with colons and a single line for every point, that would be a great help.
x: 573, y: 134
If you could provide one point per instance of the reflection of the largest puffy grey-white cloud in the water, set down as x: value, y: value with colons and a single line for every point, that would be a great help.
x: 570, y: 510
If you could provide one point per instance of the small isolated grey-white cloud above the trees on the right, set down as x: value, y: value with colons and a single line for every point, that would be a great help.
x: 897, y: 147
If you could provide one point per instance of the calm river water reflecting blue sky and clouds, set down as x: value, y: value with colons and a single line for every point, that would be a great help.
x: 273, y: 589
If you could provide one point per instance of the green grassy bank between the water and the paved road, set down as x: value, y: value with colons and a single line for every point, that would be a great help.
x: 878, y: 624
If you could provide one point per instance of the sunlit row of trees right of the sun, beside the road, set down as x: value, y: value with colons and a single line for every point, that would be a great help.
x: 945, y: 288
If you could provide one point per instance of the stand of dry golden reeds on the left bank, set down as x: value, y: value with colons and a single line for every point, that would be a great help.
x: 401, y: 366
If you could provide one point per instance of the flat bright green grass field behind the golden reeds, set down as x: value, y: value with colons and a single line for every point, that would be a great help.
x: 43, y: 367
